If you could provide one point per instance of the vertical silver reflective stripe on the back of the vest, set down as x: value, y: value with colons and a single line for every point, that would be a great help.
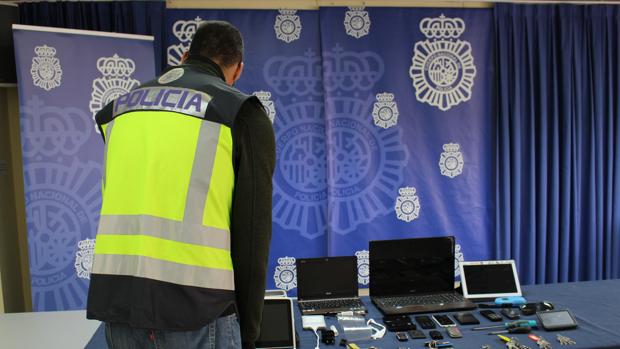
x: 202, y: 170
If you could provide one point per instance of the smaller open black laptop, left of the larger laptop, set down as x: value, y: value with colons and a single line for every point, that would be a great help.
x: 327, y: 285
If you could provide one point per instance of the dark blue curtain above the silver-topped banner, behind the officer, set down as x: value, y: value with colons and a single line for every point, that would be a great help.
x: 131, y: 17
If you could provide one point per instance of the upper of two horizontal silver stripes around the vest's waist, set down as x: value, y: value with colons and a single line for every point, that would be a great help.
x: 188, y: 232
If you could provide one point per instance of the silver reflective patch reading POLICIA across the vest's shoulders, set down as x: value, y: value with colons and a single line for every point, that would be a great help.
x: 175, y: 99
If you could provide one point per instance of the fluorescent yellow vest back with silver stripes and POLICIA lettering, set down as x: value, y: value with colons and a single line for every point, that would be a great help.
x: 167, y: 194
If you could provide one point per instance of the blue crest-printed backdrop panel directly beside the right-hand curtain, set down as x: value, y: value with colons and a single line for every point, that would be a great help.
x: 409, y: 127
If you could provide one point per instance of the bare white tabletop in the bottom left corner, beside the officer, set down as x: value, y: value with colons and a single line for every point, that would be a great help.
x: 50, y: 330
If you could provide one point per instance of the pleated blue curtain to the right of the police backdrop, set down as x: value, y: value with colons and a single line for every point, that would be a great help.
x: 558, y: 155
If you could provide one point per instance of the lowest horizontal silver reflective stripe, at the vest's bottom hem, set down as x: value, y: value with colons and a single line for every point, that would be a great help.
x: 164, y: 271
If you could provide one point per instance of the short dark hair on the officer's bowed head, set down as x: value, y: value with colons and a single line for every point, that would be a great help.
x: 219, y: 41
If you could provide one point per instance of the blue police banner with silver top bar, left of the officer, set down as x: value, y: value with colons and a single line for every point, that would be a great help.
x: 65, y: 77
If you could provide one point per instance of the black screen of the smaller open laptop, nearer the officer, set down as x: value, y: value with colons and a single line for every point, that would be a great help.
x: 329, y: 277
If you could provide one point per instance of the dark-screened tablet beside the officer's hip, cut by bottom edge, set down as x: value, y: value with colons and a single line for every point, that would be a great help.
x: 277, y: 329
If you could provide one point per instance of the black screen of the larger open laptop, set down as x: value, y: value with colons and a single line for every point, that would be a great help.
x: 411, y: 266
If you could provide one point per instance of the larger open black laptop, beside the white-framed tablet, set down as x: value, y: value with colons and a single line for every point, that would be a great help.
x: 414, y: 276
